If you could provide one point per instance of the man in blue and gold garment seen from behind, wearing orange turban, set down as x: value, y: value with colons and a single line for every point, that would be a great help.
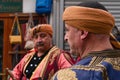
x: 88, y: 30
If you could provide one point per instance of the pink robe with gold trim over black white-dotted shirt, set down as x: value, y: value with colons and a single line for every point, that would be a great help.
x: 34, y: 68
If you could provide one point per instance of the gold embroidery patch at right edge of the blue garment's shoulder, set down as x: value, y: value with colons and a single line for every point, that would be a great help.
x: 115, y: 62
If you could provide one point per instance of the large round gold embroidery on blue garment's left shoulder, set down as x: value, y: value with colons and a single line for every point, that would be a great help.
x: 68, y: 75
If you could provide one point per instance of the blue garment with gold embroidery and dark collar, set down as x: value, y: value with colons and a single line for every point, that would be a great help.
x: 104, y: 65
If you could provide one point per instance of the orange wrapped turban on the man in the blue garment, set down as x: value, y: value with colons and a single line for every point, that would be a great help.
x: 89, y: 19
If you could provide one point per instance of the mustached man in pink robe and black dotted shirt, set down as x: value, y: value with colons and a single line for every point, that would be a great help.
x: 44, y: 60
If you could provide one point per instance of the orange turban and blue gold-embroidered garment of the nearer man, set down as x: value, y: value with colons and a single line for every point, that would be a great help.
x: 100, y: 65
